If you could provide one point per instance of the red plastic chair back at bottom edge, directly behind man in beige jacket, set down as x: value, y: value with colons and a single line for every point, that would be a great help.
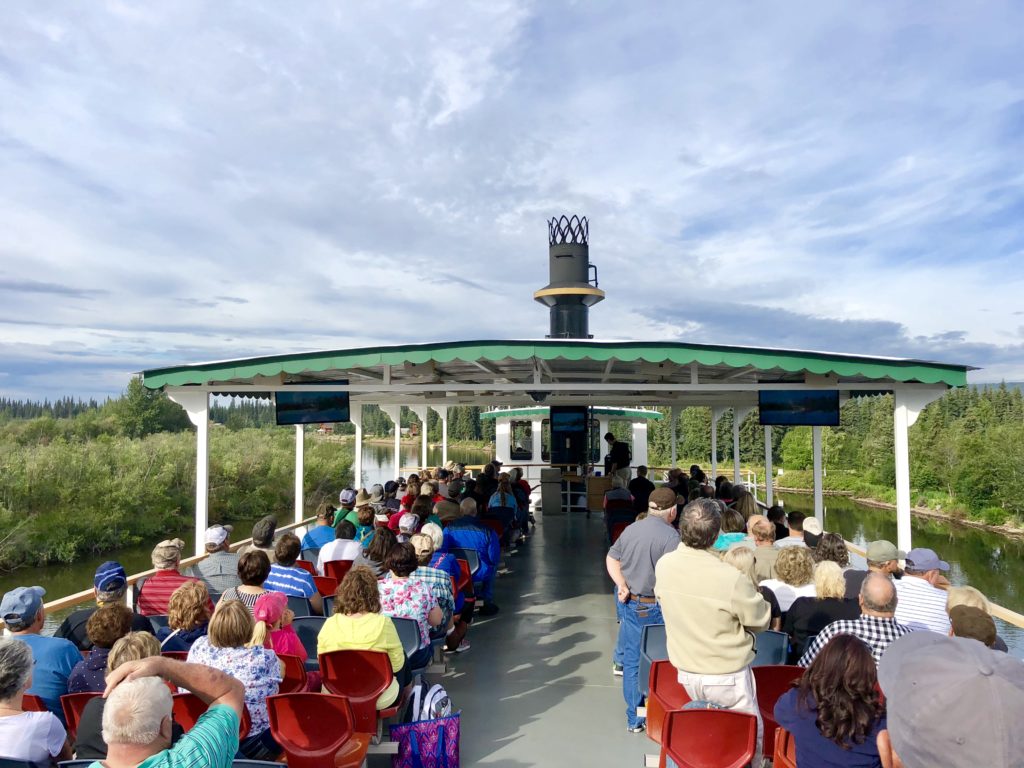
x: 710, y: 739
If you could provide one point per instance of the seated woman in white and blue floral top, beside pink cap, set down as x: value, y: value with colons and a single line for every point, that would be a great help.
x: 227, y: 649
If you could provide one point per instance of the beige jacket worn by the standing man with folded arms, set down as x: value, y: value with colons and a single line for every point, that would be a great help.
x: 708, y: 608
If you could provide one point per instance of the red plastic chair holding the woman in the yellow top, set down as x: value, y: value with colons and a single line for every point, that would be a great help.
x: 360, y: 676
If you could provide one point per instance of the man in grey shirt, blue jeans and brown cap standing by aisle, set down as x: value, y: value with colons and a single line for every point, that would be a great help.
x: 631, y: 565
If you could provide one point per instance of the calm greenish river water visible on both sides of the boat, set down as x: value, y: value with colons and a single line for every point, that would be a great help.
x: 992, y: 563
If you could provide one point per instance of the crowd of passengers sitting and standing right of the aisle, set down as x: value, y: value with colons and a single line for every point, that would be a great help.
x: 903, y: 669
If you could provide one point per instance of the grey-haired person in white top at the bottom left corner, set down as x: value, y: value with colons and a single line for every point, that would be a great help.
x: 33, y: 737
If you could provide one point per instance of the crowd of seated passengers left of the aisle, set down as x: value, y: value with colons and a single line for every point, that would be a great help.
x: 230, y: 614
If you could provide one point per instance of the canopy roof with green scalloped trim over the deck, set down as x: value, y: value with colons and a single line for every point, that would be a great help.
x: 514, y: 361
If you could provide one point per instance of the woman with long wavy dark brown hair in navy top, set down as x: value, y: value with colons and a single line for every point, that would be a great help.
x: 835, y: 712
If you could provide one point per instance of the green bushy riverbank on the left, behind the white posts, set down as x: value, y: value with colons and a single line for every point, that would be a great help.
x: 67, y: 497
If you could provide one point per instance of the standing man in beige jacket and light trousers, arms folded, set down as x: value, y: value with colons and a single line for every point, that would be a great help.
x: 710, y: 612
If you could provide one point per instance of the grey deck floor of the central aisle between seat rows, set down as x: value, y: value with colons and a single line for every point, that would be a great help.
x: 537, y: 689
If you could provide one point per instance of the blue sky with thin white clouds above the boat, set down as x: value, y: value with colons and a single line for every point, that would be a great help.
x: 201, y: 181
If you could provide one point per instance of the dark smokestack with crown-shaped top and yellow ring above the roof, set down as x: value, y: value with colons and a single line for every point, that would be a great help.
x: 572, y: 291
